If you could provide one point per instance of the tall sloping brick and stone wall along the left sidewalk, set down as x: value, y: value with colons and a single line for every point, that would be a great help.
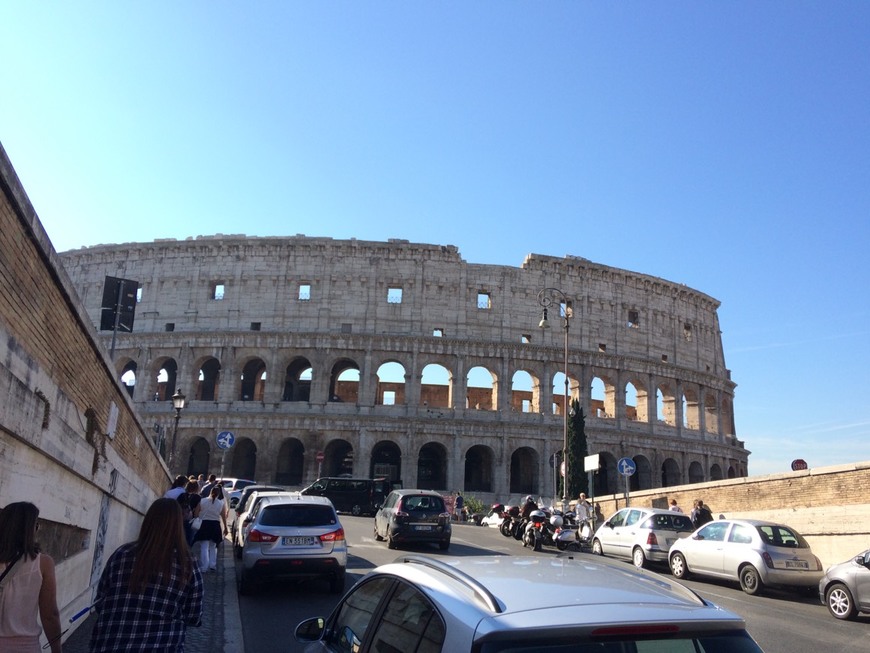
x: 58, y: 389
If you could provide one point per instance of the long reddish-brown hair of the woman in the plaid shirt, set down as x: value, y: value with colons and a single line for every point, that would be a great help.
x: 160, y: 546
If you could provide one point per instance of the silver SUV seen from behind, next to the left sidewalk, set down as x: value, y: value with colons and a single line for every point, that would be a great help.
x: 294, y: 536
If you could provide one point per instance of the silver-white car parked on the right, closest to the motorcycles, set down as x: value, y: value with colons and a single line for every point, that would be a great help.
x: 641, y: 535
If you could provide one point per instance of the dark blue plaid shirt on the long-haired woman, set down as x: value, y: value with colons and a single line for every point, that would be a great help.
x: 152, y: 621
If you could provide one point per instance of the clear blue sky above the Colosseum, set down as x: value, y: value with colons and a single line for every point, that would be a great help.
x: 724, y: 145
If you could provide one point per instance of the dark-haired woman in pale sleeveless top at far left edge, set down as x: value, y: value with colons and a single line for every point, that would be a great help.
x: 28, y: 584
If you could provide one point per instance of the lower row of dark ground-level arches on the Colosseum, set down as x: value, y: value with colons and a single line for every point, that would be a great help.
x: 478, y: 470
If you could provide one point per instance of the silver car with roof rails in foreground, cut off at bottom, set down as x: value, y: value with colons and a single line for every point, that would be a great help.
x: 506, y: 604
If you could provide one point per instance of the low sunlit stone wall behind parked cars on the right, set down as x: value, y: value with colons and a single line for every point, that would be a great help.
x: 829, y: 506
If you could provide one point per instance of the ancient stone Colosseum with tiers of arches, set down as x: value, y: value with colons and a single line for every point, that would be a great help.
x: 329, y: 357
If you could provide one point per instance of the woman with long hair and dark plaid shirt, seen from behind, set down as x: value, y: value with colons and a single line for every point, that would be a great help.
x: 150, y: 590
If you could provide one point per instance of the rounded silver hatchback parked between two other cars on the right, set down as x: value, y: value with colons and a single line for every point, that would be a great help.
x: 755, y: 553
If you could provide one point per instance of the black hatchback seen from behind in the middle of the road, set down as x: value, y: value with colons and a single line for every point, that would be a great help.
x: 408, y: 516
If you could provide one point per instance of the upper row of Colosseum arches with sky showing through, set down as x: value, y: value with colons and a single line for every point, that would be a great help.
x: 609, y: 393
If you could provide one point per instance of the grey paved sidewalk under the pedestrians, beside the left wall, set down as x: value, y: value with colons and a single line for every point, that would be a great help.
x: 221, y: 628
